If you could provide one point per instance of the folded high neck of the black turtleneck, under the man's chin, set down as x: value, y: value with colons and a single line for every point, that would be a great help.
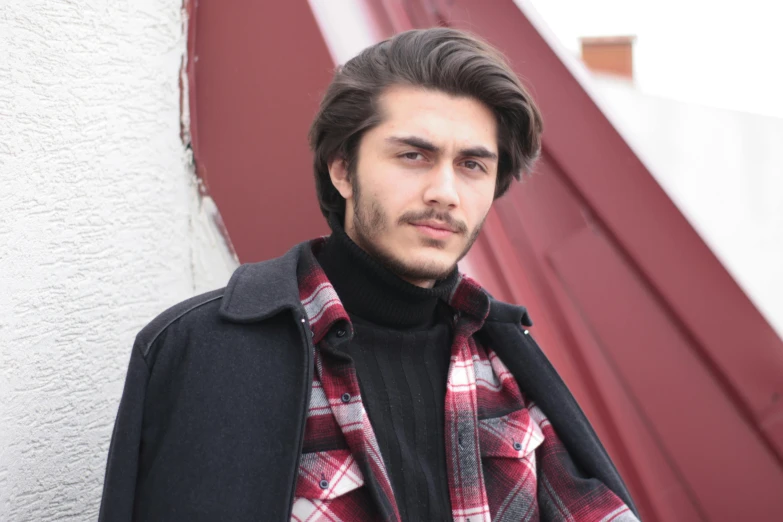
x: 371, y: 292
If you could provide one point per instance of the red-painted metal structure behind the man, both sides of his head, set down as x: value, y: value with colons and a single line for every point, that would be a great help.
x: 680, y: 374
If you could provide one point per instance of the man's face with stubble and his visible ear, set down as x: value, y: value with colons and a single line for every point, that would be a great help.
x: 423, y: 182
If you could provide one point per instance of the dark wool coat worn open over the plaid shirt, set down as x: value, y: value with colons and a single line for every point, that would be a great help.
x: 212, y: 416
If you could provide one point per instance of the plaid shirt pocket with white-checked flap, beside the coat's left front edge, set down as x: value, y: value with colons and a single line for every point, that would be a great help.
x: 329, y: 487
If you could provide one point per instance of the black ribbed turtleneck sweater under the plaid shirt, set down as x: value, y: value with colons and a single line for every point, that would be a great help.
x: 400, y: 349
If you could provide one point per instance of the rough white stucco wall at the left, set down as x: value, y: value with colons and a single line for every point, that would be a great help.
x: 101, y: 228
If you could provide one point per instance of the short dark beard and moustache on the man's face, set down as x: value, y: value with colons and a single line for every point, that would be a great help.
x: 369, y: 222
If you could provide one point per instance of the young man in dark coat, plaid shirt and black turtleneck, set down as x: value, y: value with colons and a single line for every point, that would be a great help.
x: 361, y: 377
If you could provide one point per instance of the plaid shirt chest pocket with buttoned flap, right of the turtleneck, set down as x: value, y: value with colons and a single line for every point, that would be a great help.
x: 508, y: 460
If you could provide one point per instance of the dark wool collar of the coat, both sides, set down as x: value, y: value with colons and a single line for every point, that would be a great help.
x: 257, y: 291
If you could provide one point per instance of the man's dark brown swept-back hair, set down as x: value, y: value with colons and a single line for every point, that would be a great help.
x: 443, y: 59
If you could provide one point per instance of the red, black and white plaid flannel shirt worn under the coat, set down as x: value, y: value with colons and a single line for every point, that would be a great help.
x: 504, y: 460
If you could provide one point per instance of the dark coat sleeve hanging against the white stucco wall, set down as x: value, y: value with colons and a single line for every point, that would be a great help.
x: 122, y: 467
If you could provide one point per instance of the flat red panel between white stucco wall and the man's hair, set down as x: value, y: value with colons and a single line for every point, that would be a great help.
x: 259, y: 70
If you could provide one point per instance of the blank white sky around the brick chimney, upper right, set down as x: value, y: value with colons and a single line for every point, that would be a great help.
x: 715, y: 53
